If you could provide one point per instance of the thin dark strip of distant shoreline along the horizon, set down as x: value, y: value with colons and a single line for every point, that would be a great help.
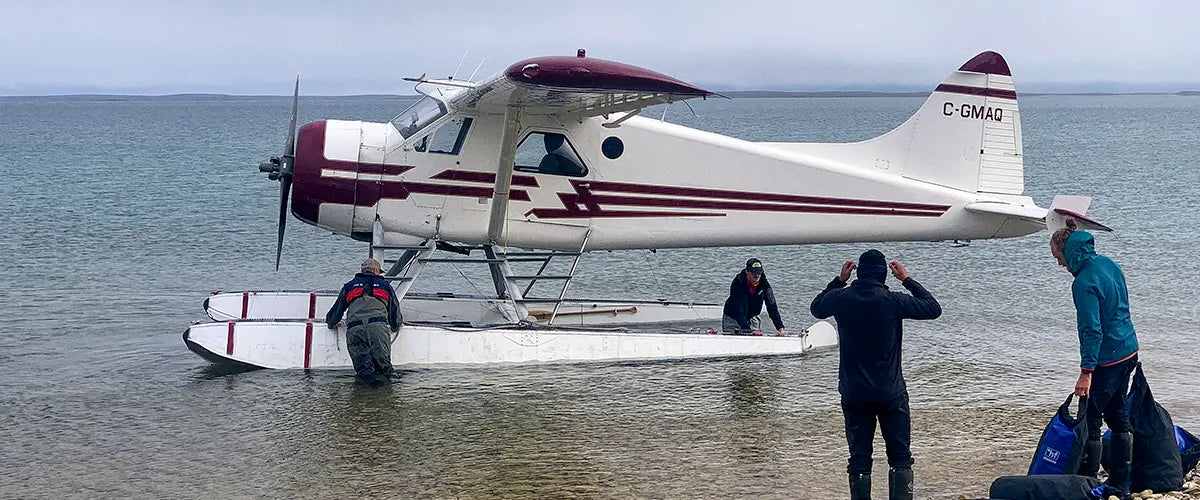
x: 731, y: 94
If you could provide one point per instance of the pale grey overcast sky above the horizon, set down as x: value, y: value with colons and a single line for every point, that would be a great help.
x: 367, y: 47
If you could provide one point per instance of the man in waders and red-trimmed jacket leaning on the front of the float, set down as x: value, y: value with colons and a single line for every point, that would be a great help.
x: 373, y: 315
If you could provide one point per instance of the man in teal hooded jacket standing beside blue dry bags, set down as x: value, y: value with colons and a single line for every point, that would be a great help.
x: 1108, y: 348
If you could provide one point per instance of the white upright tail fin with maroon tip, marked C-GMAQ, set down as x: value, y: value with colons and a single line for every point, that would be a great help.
x: 967, y: 136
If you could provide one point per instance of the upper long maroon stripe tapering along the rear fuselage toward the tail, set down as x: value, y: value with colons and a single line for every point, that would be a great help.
x: 673, y: 191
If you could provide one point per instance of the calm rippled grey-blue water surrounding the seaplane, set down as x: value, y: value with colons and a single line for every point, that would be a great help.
x: 119, y: 218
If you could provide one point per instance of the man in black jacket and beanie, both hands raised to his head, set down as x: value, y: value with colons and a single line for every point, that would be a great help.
x: 869, y: 377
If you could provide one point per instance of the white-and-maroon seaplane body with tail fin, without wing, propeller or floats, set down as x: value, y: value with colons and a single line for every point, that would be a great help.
x: 621, y: 183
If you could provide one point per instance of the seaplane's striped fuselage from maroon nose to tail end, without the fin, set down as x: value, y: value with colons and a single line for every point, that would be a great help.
x: 671, y: 186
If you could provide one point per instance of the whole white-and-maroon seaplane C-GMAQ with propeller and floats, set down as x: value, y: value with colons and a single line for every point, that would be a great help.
x: 551, y: 159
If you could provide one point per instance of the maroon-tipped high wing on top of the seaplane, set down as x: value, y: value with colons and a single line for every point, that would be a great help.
x: 579, y: 87
